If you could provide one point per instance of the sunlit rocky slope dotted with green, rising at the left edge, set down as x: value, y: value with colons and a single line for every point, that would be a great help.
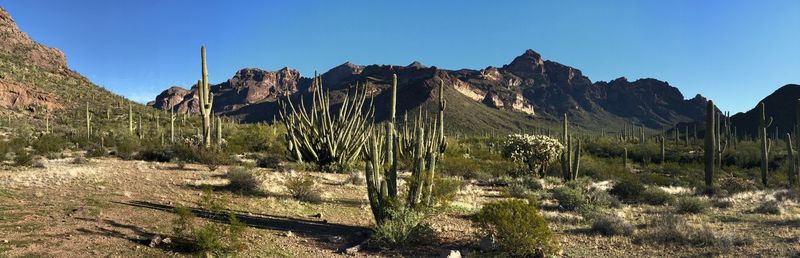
x: 35, y: 78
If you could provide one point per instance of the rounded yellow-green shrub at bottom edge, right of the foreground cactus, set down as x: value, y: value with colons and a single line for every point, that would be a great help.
x: 518, y: 227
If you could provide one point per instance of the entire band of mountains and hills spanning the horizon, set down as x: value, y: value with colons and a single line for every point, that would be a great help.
x: 529, y: 92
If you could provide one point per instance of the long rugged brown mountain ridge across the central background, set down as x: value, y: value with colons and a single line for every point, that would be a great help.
x: 526, y: 93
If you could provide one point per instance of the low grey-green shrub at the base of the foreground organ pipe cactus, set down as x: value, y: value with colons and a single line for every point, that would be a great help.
x: 406, y: 227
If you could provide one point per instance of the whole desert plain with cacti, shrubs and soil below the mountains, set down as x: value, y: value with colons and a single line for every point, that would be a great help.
x: 328, y: 178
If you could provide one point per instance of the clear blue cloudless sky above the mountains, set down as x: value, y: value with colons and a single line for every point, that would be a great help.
x: 735, y: 52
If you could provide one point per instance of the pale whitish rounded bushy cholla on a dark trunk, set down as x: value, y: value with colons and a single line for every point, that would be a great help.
x: 534, y: 151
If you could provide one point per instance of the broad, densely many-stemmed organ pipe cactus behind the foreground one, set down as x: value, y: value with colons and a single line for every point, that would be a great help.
x: 322, y: 135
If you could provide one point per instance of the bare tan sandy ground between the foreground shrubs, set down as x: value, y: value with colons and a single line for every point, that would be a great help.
x: 114, y: 208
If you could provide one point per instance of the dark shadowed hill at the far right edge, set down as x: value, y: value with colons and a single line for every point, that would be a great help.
x: 781, y: 105
